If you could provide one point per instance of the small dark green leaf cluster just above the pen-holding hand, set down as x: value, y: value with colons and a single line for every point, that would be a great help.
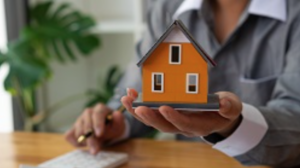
x: 106, y: 89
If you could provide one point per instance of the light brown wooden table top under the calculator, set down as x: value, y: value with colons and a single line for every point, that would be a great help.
x: 32, y: 149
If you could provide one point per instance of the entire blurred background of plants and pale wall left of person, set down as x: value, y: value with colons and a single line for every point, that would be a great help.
x: 58, y: 57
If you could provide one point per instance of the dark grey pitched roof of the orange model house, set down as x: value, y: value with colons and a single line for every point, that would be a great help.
x: 180, y: 25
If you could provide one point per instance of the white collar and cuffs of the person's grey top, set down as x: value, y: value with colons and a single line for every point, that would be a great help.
x: 253, y: 126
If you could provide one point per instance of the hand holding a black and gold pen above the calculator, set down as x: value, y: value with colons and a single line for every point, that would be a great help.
x: 95, y: 126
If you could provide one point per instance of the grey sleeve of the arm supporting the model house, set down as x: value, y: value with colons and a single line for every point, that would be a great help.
x: 280, y: 146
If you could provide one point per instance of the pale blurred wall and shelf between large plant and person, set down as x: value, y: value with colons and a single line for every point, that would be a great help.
x: 117, y: 48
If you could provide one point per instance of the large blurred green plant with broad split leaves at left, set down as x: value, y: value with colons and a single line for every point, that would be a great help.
x: 53, y: 33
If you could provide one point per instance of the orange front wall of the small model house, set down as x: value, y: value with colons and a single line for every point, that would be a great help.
x: 175, y: 75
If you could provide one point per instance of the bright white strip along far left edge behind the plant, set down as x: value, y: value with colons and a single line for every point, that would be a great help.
x: 6, y: 122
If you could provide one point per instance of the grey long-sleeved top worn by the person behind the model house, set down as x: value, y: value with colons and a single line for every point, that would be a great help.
x: 260, y: 63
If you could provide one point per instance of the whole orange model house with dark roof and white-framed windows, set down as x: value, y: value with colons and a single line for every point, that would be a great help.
x: 175, y: 71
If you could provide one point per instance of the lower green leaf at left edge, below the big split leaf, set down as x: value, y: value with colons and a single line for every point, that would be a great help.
x: 25, y: 71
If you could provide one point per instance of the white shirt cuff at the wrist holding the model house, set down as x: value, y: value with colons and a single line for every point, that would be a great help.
x: 248, y: 135
